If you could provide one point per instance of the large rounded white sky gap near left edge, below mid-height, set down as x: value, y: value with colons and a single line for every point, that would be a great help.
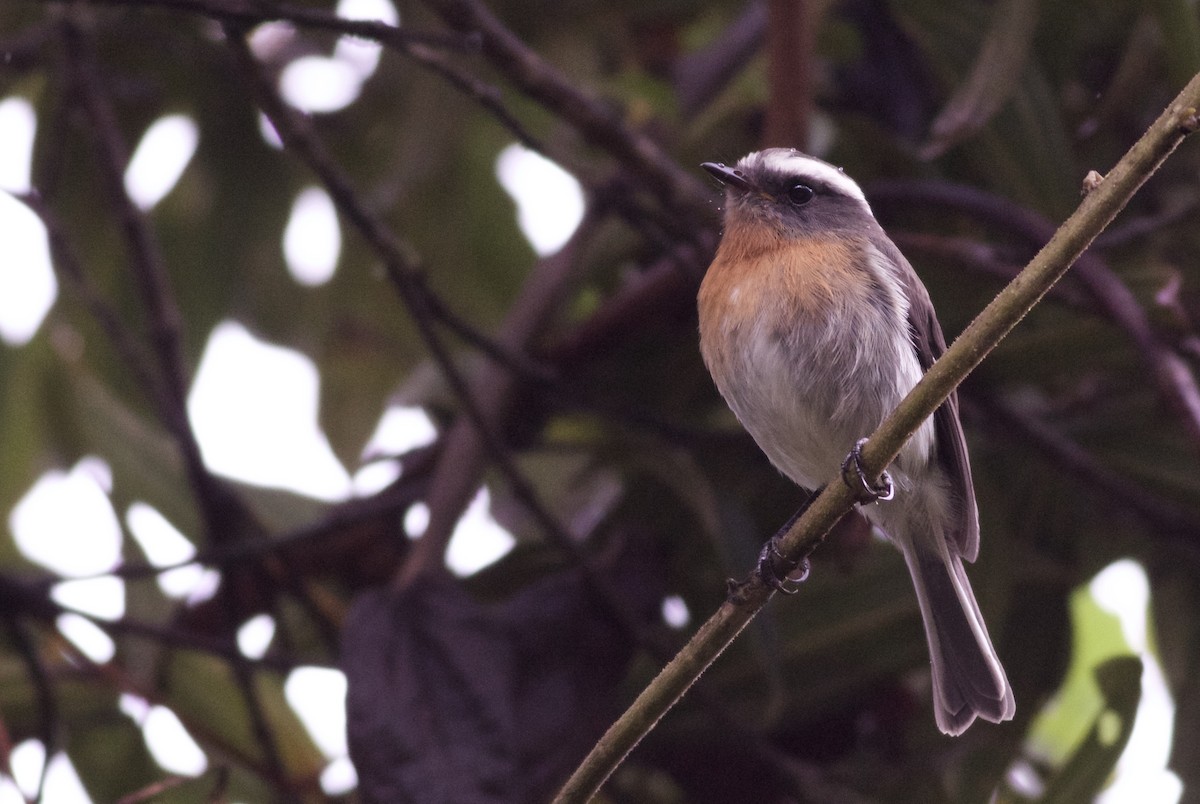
x: 67, y: 524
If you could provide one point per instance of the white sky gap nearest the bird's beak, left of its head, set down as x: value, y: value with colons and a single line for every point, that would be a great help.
x: 550, y: 201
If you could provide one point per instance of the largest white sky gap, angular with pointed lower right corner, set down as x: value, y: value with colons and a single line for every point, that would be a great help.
x: 254, y: 407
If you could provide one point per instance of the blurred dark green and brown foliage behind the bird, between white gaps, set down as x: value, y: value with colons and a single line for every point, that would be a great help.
x: 1082, y: 454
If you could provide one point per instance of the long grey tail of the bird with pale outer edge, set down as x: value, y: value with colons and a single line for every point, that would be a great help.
x: 969, y: 680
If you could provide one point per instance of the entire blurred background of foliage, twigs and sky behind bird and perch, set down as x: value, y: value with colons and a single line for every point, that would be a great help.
x: 351, y: 400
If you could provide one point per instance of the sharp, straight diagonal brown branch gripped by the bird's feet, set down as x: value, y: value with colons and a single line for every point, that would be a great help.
x: 1096, y: 212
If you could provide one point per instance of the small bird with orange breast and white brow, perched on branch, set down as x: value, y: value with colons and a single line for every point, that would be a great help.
x: 814, y: 327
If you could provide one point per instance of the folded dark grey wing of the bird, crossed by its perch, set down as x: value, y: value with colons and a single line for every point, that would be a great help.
x: 952, y: 447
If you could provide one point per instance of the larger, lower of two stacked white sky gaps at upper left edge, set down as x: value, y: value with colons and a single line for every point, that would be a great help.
x: 28, y: 287
